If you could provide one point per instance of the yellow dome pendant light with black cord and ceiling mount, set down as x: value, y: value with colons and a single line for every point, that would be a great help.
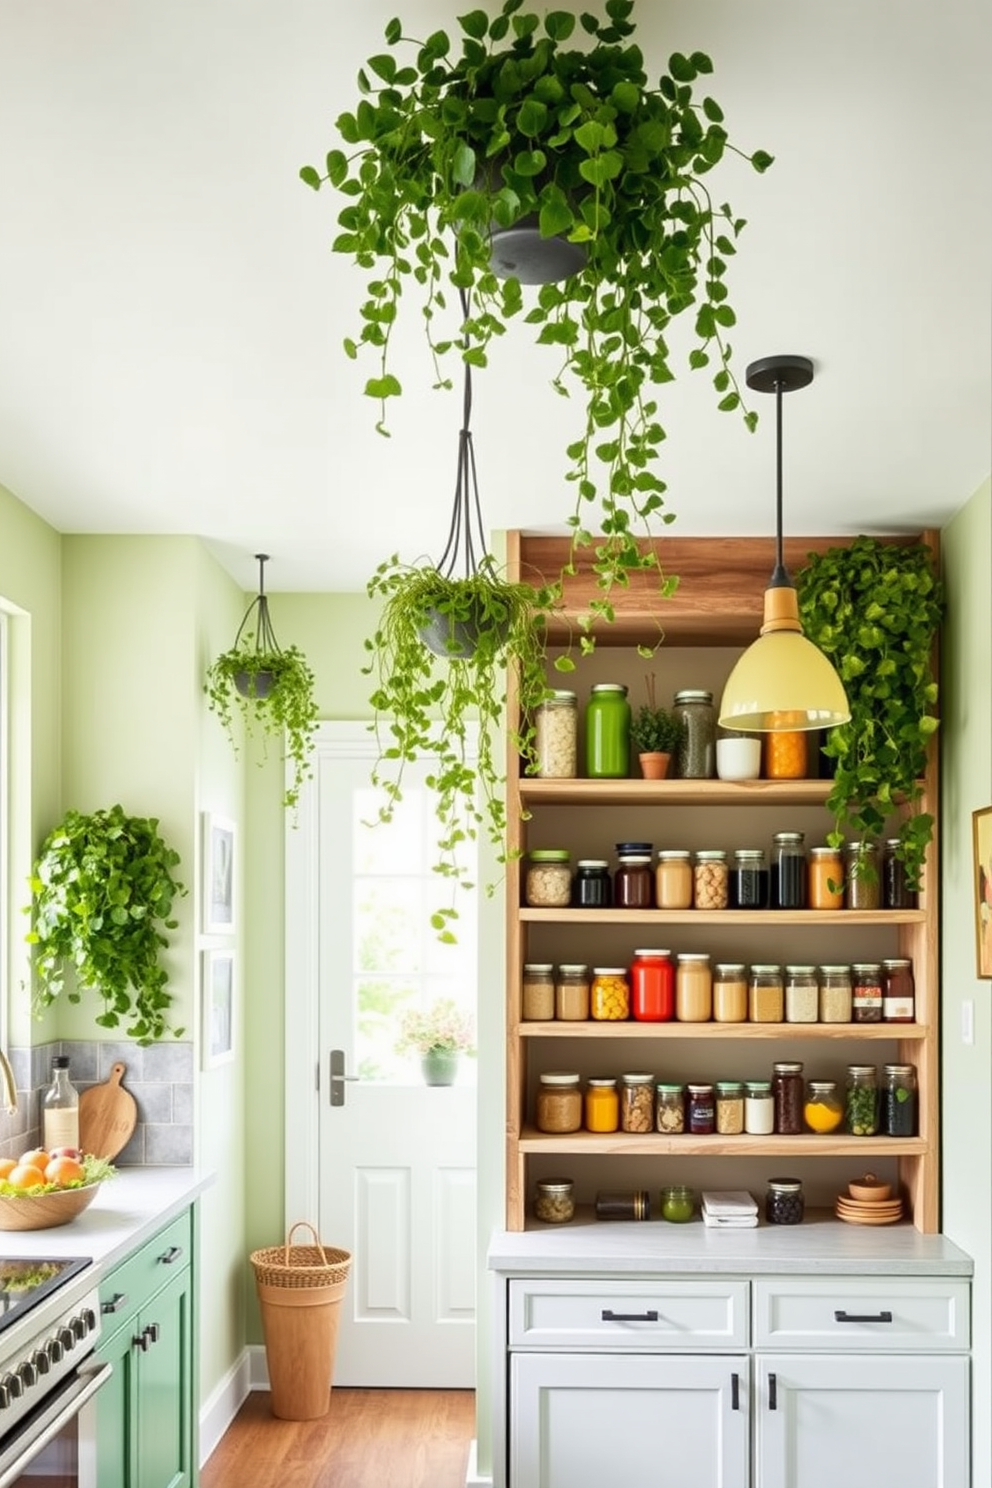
x: 783, y: 682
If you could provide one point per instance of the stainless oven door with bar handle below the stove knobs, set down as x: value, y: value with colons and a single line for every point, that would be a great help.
x: 56, y: 1447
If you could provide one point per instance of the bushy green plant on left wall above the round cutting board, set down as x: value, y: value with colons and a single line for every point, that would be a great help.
x: 100, y: 892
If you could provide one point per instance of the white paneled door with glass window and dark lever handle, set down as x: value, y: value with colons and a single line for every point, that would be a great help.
x: 396, y: 1160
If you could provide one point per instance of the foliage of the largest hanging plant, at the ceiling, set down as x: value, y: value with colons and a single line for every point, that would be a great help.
x: 450, y: 142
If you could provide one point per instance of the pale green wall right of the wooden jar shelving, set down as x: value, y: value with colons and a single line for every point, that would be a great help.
x: 967, y: 1069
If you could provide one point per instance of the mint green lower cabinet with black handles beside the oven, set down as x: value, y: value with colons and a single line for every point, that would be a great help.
x: 146, y: 1413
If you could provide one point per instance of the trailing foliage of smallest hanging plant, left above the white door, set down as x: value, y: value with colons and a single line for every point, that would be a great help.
x: 274, y: 694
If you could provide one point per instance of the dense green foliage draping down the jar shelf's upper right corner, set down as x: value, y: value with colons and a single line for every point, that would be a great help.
x: 875, y: 609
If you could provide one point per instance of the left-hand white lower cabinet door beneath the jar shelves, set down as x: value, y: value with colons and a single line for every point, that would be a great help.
x: 585, y: 1422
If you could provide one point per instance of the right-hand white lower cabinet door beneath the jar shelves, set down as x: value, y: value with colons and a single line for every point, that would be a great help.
x: 862, y: 1422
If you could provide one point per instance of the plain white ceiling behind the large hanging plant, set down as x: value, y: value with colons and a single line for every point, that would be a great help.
x: 172, y: 315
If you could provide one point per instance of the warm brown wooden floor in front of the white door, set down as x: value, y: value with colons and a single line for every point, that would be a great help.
x: 368, y: 1440
